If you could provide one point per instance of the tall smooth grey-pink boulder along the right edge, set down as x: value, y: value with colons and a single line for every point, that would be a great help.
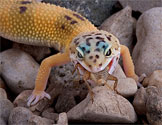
x: 147, y: 52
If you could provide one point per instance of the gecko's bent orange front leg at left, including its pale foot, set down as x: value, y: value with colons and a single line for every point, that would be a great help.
x: 43, y: 74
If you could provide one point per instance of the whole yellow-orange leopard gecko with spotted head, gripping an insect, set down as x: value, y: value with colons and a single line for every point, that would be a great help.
x: 78, y: 40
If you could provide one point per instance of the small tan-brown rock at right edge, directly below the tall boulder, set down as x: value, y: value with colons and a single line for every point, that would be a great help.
x: 155, y: 79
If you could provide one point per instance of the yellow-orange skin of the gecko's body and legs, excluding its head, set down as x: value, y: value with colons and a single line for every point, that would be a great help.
x: 41, y: 24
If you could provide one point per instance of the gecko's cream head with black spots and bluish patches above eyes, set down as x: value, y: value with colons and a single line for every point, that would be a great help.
x: 94, y: 50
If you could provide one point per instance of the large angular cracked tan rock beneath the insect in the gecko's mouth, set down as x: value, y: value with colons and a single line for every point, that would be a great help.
x: 107, y: 107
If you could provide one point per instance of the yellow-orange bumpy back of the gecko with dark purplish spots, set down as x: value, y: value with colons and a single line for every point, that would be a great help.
x: 40, y: 24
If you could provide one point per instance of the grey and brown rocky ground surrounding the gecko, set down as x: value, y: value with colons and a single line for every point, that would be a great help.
x: 138, y: 26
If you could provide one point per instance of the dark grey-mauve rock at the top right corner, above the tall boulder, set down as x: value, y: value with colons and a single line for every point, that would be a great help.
x: 141, y: 5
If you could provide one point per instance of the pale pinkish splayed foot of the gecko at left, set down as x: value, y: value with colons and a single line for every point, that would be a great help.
x: 36, y: 96
